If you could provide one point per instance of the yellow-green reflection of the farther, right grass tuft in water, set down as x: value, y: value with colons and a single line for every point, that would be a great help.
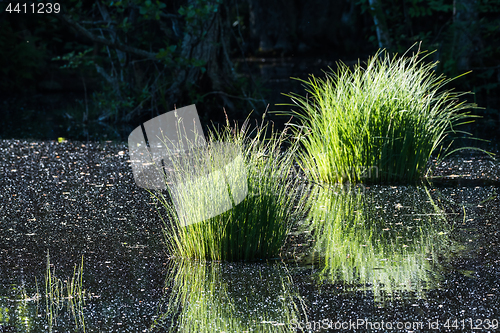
x: 385, y: 241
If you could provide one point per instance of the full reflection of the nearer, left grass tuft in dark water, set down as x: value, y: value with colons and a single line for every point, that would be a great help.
x: 212, y: 297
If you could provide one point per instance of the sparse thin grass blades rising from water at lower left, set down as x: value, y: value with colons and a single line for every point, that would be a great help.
x: 57, y: 291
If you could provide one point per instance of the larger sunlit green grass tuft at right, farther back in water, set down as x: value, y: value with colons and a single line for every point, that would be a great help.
x: 376, y: 123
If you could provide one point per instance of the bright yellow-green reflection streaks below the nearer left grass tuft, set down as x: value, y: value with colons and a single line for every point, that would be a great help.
x: 199, y: 301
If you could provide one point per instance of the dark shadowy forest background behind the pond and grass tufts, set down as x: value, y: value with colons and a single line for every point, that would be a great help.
x: 97, y: 69
